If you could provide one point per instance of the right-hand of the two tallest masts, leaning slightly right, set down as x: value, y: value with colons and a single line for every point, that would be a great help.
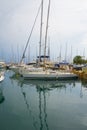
x: 46, y: 32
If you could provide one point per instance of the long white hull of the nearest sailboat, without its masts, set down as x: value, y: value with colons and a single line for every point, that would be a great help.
x: 53, y: 75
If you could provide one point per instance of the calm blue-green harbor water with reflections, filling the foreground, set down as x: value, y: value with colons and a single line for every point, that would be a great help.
x: 42, y: 105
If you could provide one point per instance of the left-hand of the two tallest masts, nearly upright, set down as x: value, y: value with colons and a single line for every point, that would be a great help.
x: 41, y: 31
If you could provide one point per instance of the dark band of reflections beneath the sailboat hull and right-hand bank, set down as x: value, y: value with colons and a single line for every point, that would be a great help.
x: 51, y: 85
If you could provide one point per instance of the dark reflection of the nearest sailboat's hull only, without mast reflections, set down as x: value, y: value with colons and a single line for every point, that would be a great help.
x: 48, y: 85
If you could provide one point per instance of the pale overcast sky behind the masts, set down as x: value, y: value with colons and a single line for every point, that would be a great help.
x: 67, y: 26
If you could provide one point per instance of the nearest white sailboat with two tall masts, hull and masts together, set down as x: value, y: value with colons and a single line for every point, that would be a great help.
x: 43, y: 73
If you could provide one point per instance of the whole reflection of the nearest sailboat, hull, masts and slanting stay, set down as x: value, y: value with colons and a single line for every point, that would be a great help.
x: 42, y: 88
